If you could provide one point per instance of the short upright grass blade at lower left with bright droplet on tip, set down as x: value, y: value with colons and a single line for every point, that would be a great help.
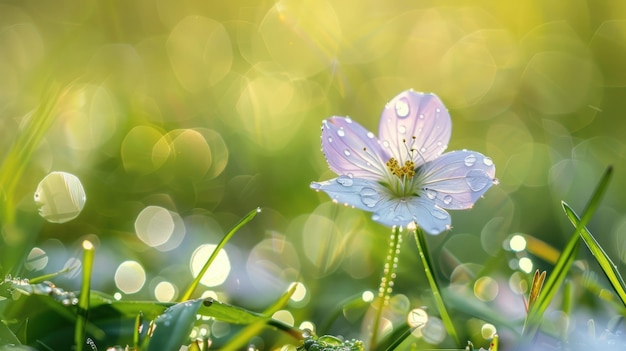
x: 83, y: 298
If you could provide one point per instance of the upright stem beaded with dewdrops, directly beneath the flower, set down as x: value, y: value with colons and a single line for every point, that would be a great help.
x: 386, y: 283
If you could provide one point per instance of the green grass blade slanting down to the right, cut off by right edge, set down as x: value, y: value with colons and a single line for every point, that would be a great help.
x: 600, y: 255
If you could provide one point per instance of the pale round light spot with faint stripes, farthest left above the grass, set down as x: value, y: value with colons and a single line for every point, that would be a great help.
x: 60, y: 197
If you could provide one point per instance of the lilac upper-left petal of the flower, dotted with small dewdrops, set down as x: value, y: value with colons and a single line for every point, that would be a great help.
x: 350, y: 149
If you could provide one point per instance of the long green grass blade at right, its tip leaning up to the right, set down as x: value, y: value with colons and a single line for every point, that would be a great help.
x: 563, y: 264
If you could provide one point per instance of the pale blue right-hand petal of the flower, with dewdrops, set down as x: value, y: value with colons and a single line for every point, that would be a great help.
x: 457, y: 179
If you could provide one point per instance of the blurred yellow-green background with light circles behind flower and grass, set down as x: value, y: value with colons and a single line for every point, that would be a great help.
x: 206, y: 110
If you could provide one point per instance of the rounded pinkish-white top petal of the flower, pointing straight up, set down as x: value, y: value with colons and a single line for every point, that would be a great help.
x: 415, y: 126
